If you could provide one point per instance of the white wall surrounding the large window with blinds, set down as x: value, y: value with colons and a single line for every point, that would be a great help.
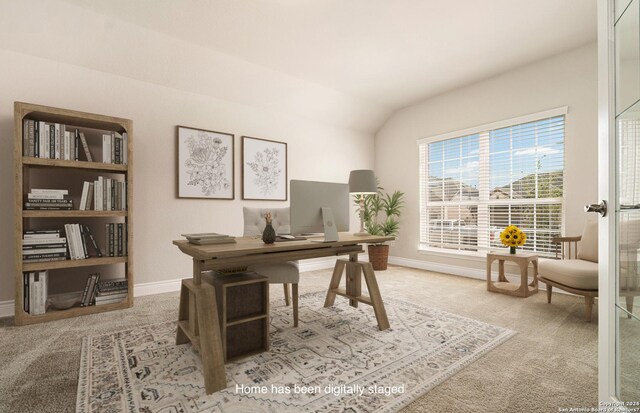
x: 569, y: 80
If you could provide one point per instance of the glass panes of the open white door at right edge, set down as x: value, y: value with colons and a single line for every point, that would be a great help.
x: 627, y: 214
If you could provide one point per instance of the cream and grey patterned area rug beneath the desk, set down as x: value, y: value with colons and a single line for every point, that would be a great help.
x: 335, y: 361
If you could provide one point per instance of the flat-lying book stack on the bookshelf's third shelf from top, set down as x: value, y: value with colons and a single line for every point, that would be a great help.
x: 43, y: 245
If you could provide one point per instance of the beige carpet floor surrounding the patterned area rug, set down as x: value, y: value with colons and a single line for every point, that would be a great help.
x: 550, y: 363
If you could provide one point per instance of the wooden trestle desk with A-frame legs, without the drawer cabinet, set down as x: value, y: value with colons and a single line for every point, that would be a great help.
x: 198, y: 316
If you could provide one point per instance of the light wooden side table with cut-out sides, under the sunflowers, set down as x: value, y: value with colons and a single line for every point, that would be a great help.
x: 503, y: 285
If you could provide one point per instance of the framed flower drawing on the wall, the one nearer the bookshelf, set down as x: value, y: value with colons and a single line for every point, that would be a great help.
x: 205, y: 164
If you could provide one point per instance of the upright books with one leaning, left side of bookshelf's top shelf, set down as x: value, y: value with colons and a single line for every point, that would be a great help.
x: 53, y: 141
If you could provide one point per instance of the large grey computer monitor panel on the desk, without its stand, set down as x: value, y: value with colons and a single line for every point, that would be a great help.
x: 307, y: 200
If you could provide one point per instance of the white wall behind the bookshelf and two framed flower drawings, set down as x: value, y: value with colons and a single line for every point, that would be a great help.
x: 321, y: 145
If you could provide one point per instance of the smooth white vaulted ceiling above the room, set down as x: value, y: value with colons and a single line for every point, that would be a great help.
x: 392, y: 53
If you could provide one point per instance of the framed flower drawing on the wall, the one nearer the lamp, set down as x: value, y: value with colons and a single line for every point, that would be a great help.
x: 264, y: 169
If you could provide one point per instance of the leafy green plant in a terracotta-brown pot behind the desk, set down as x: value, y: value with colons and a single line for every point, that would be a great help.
x: 381, y: 213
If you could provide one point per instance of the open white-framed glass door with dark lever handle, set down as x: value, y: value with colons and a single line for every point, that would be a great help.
x: 619, y: 183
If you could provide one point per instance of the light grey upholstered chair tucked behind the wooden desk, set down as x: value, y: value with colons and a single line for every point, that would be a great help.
x: 278, y: 273
